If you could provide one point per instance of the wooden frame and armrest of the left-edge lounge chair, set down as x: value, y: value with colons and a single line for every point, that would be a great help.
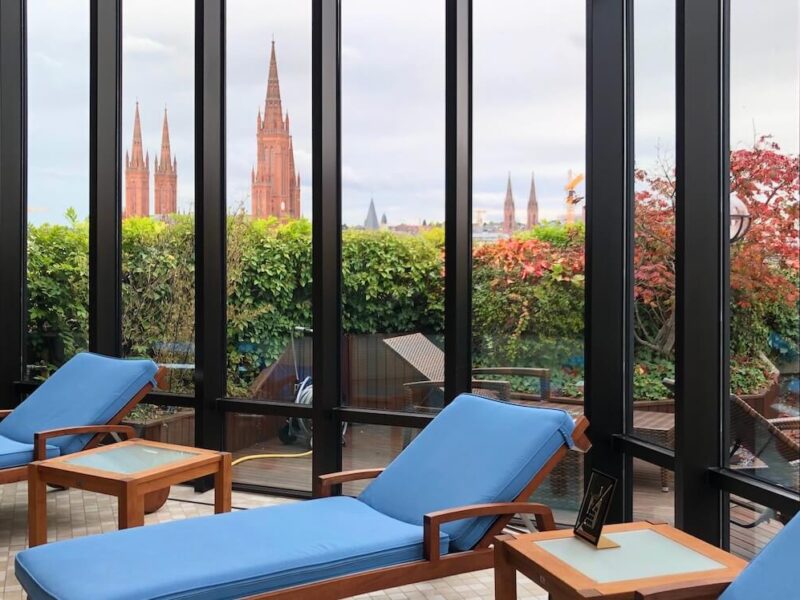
x: 20, y: 473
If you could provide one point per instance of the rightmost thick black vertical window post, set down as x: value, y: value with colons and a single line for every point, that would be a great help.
x: 701, y: 264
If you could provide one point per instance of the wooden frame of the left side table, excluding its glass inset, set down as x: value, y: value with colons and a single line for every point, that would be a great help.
x: 129, y: 488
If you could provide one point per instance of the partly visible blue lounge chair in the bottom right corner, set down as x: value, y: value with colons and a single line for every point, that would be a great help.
x: 773, y: 573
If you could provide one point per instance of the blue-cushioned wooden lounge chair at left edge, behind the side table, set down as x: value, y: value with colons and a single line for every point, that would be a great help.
x: 73, y: 410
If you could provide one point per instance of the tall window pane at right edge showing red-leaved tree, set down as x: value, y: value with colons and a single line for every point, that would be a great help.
x: 764, y: 406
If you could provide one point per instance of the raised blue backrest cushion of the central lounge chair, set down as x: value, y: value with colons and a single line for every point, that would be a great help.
x: 476, y: 450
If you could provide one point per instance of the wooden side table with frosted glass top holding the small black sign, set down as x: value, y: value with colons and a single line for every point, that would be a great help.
x: 649, y: 555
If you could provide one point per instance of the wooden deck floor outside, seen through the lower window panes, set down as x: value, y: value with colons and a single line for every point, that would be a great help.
x: 375, y: 446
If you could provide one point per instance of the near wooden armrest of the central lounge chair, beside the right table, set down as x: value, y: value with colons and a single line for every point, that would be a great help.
x: 432, y: 521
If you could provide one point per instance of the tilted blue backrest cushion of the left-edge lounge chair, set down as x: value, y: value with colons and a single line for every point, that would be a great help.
x: 89, y: 389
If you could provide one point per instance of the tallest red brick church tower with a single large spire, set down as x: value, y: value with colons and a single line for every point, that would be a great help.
x: 275, y: 185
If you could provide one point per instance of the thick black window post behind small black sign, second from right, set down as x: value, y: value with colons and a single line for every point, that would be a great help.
x: 609, y: 191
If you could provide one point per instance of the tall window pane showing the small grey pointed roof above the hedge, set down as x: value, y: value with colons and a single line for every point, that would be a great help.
x: 393, y: 101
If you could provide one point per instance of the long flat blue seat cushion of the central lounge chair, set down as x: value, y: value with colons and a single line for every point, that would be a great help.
x: 223, y: 556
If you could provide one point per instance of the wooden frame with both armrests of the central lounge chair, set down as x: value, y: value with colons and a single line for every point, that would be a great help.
x: 433, y: 565
